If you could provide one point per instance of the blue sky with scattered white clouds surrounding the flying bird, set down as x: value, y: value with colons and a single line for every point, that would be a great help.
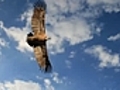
x: 84, y: 49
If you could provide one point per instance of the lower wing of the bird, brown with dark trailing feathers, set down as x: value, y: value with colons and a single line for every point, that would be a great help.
x: 42, y: 58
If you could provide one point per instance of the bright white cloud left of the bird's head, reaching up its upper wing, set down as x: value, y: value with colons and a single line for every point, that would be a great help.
x: 18, y: 34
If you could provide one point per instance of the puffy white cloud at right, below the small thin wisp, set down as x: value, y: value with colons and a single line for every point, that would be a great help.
x: 106, y: 57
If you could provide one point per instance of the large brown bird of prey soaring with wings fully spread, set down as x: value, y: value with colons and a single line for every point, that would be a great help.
x: 37, y: 38
